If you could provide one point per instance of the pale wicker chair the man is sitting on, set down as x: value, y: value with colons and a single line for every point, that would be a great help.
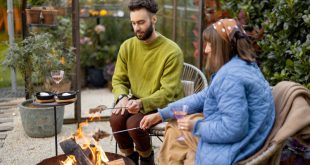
x: 193, y: 81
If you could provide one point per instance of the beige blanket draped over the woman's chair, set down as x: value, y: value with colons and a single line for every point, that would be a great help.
x: 292, y: 102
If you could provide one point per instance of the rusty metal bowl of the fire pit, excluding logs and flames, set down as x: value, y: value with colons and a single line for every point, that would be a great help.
x: 57, y: 159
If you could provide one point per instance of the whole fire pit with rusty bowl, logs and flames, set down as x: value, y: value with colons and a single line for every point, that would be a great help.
x: 85, y: 149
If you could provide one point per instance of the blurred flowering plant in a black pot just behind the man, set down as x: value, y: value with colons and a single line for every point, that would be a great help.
x: 99, y: 47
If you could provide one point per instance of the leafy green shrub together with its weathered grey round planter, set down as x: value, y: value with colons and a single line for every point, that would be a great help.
x: 35, y: 57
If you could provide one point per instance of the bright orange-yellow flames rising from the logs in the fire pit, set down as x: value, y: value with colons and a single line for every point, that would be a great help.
x: 87, y: 142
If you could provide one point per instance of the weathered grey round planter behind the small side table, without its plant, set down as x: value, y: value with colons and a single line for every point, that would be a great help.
x: 38, y: 122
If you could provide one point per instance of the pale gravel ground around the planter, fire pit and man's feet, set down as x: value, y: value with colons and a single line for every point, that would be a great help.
x: 22, y: 149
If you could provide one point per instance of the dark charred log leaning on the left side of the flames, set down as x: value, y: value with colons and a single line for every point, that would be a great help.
x: 70, y: 147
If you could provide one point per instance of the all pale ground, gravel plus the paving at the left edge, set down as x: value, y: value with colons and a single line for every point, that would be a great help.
x: 18, y: 148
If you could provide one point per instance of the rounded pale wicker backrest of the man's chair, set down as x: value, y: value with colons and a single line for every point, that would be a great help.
x: 193, y: 79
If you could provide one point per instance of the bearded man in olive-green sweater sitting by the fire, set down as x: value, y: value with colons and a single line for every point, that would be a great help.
x: 149, y: 68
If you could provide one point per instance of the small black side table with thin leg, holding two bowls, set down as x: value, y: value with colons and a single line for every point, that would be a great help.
x: 54, y: 104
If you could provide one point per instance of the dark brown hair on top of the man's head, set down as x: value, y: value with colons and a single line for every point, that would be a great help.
x: 149, y: 5
